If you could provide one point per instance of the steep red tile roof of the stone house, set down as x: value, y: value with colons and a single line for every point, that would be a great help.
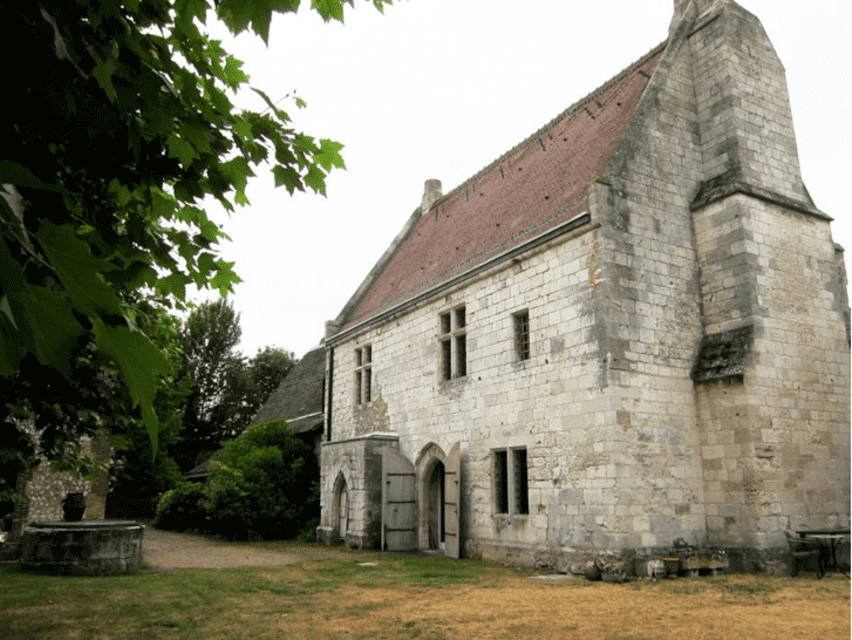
x: 541, y: 183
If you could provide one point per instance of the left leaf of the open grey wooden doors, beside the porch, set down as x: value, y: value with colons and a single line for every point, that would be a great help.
x: 399, y: 508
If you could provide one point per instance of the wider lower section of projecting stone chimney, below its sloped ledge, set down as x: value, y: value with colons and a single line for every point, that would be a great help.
x: 775, y: 442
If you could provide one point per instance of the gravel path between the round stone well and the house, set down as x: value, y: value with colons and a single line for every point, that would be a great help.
x: 164, y: 550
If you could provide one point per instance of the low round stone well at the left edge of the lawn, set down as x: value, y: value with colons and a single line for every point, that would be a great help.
x: 88, y: 547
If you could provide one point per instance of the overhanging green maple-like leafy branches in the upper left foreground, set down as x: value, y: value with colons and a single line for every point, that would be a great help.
x: 116, y: 129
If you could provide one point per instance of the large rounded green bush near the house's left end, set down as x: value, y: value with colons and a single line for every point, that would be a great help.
x: 263, y: 484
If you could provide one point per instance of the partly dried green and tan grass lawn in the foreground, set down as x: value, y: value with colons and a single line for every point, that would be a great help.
x: 403, y: 596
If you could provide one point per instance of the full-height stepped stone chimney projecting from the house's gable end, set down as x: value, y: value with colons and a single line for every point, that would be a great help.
x: 775, y: 439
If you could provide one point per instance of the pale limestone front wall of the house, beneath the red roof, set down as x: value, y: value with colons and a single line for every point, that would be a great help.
x: 501, y: 402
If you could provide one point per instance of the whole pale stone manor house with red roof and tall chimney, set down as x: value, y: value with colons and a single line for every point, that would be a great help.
x: 628, y: 333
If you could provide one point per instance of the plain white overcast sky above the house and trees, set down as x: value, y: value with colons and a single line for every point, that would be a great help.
x: 439, y: 89
